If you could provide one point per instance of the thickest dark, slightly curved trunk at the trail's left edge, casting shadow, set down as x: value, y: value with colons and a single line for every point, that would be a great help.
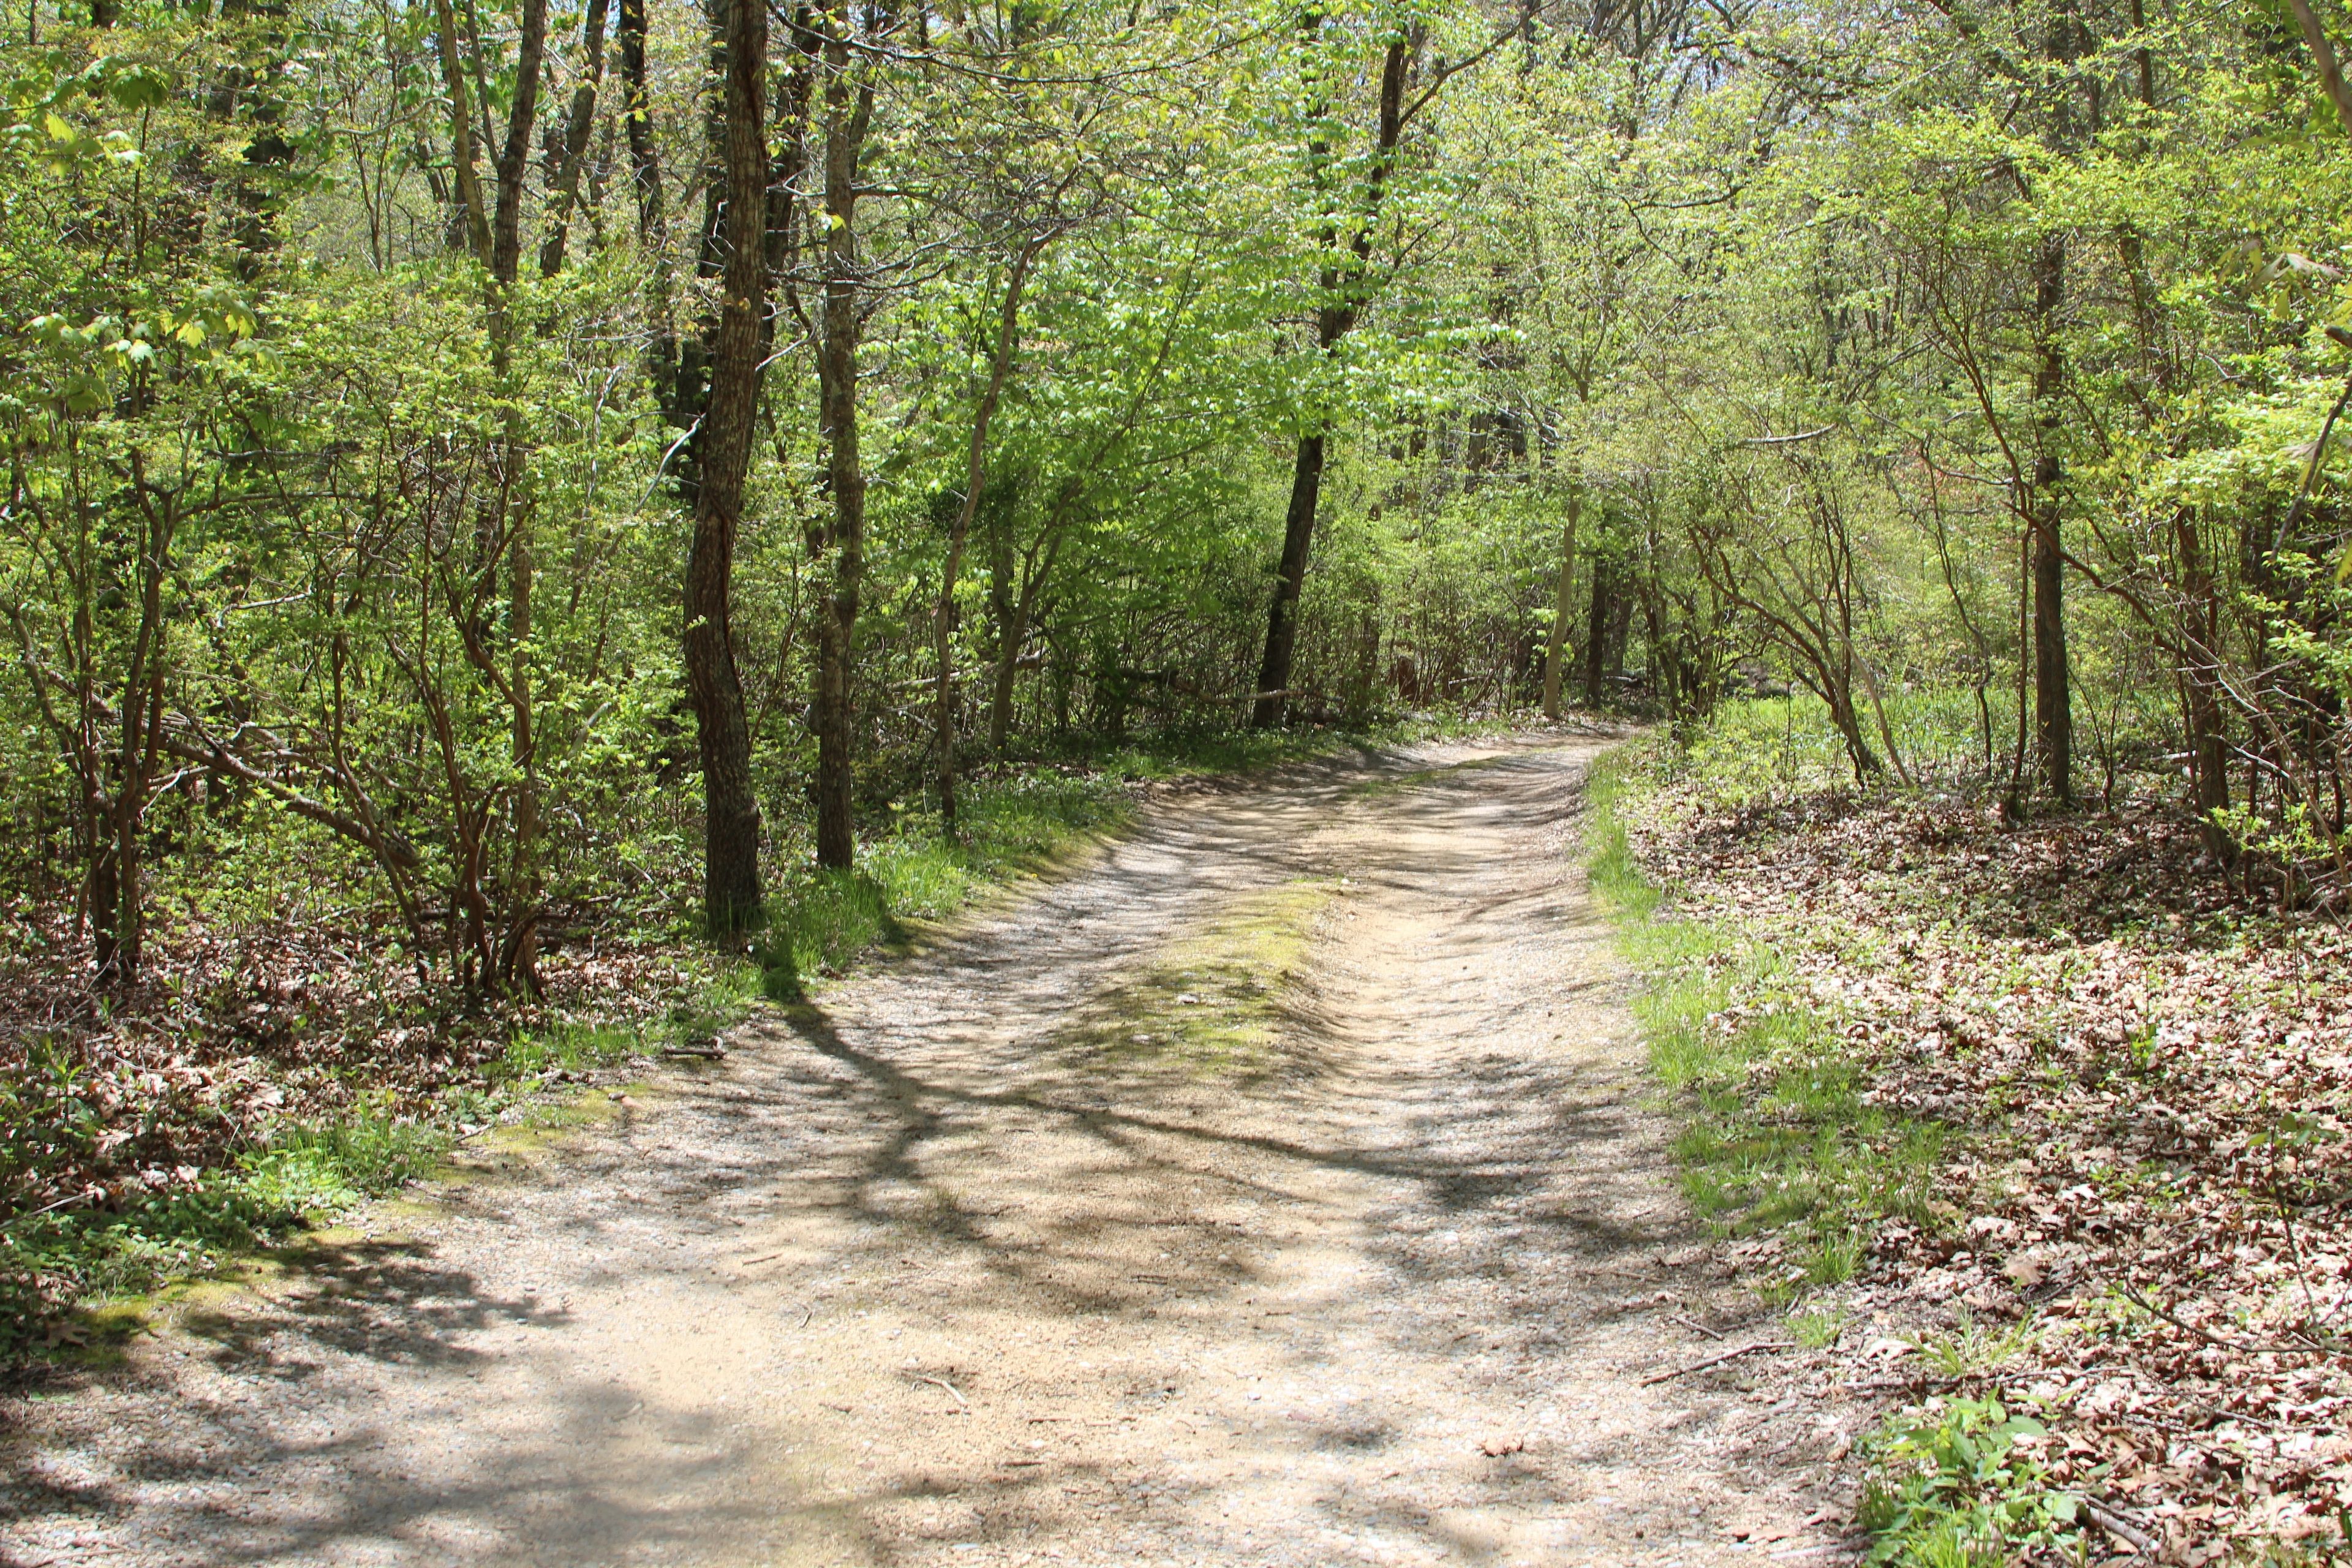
x: 733, y: 899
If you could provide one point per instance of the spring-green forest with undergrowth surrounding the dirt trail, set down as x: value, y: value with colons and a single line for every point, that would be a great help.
x: 537, y: 528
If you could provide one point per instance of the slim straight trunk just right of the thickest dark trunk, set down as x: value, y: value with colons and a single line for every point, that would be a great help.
x: 848, y: 112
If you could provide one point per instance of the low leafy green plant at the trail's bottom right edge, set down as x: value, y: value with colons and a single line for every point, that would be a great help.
x: 1956, y: 1489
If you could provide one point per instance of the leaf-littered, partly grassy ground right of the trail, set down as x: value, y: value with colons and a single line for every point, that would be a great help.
x: 2031, y: 1123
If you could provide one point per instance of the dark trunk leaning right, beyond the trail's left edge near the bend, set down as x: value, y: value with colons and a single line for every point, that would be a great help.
x: 1344, y: 293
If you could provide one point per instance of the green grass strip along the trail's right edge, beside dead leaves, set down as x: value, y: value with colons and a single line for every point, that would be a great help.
x: 1777, y: 1134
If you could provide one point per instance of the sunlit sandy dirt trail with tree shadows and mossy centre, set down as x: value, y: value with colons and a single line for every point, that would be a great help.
x: 1224, y: 1202
